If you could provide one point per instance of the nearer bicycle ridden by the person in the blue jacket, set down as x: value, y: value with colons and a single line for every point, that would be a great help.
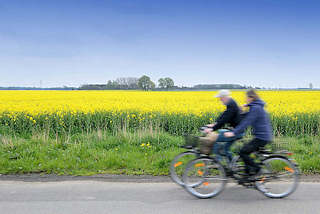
x: 205, y: 177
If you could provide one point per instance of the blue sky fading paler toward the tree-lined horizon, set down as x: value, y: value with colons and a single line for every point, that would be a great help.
x: 73, y: 42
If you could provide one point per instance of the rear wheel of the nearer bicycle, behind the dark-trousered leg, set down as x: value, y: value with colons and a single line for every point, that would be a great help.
x: 279, y: 177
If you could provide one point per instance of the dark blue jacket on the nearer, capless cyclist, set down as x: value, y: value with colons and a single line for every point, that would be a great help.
x: 258, y: 119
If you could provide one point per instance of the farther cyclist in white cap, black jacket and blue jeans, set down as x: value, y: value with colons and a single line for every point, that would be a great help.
x: 230, y: 116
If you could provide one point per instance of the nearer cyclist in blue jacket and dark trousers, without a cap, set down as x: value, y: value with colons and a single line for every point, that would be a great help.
x: 259, y: 120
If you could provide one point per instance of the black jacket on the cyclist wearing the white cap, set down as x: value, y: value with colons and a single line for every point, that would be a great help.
x: 230, y: 116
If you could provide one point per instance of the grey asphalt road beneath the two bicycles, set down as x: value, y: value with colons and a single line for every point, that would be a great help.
x: 122, y: 197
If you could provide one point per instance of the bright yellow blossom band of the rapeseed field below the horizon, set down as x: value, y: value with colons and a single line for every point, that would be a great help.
x: 46, y: 102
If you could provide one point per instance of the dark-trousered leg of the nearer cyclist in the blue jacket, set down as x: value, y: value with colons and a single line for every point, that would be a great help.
x: 245, y: 152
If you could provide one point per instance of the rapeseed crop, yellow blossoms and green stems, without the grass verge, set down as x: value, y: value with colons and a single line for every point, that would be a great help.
x: 68, y: 112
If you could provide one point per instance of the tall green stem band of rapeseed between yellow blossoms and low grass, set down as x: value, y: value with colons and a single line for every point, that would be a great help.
x: 66, y: 123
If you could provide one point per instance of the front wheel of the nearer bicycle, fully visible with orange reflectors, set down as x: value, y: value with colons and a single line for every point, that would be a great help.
x: 204, y: 177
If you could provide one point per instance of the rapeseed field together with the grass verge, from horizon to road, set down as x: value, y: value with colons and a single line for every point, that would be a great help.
x: 133, y: 132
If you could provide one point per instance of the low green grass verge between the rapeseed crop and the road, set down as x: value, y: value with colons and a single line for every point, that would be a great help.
x: 121, y: 153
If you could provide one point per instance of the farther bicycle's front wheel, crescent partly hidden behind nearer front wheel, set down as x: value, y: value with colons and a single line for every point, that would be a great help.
x: 179, y: 164
